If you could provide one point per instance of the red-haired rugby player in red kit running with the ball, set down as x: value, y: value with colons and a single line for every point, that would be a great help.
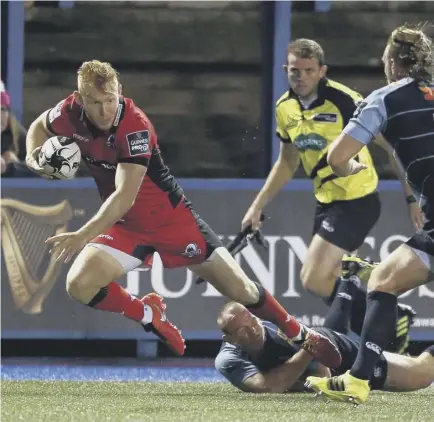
x: 144, y: 211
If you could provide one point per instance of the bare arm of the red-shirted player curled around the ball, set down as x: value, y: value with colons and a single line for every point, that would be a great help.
x: 37, y: 134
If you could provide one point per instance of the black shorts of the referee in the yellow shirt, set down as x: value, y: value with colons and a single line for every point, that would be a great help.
x: 346, y: 224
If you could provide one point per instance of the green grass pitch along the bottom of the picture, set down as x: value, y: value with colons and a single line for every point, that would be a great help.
x: 63, y: 401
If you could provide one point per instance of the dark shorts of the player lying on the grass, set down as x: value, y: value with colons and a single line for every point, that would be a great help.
x: 348, y: 349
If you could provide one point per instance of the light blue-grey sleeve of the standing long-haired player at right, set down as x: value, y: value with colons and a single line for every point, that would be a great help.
x: 369, y: 119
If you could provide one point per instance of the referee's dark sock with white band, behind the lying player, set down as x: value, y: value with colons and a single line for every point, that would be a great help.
x: 338, y: 316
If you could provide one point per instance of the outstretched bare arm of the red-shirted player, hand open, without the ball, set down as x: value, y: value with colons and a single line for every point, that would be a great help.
x: 128, y: 180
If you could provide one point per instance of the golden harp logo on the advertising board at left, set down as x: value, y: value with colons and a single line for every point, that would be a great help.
x: 31, y: 270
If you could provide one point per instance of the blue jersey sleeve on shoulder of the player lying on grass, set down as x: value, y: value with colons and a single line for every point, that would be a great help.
x: 234, y: 365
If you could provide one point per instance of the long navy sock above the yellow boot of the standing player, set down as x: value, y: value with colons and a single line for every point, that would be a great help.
x: 378, y: 330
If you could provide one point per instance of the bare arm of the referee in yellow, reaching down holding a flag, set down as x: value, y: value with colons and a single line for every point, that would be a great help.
x: 281, y: 173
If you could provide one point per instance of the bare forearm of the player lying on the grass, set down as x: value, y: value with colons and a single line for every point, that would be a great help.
x: 282, y: 378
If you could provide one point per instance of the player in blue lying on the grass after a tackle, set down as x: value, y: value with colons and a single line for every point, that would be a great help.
x: 257, y: 357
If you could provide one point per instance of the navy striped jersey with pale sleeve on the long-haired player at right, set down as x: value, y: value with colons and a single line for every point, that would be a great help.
x: 403, y: 112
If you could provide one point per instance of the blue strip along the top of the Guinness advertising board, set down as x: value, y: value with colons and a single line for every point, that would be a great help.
x: 187, y: 184
